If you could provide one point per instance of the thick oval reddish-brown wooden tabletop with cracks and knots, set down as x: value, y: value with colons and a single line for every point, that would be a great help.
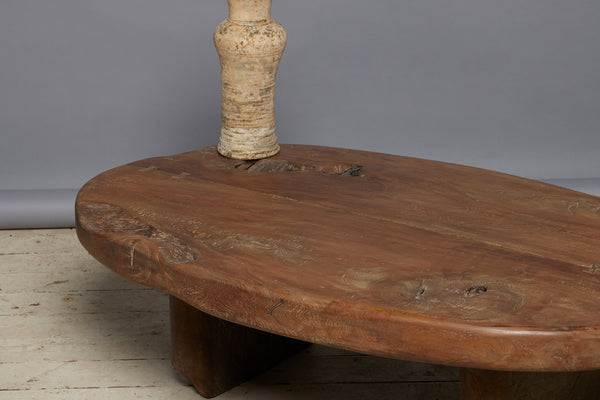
x: 380, y: 254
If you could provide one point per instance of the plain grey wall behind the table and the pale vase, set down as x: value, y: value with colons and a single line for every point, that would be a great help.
x: 509, y: 85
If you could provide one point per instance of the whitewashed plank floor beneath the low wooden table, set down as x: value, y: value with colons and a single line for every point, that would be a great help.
x: 72, y: 329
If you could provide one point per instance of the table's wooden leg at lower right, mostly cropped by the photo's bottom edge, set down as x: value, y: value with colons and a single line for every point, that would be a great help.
x: 503, y: 385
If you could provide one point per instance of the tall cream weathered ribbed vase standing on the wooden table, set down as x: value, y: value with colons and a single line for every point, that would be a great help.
x: 250, y: 45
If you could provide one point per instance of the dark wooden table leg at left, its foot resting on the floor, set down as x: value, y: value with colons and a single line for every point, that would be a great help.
x: 216, y: 355
